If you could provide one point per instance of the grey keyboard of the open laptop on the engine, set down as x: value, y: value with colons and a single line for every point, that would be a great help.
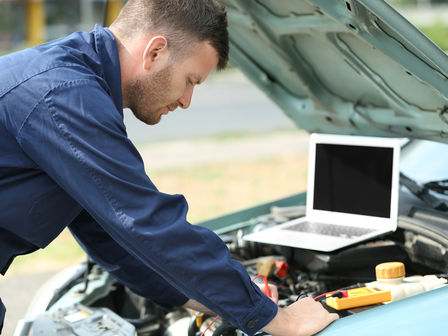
x: 342, y: 231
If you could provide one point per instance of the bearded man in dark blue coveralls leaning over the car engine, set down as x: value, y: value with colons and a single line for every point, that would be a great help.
x: 66, y: 160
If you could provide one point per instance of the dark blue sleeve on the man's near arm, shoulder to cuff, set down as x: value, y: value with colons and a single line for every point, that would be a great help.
x: 77, y: 136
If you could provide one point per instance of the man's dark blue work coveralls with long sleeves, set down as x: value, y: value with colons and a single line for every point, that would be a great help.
x: 66, y: 160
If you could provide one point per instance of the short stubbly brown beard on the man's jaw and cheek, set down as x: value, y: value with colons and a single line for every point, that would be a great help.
x: 146, y: 97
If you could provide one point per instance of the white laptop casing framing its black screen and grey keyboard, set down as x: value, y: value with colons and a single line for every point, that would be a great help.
x: 278, y: 235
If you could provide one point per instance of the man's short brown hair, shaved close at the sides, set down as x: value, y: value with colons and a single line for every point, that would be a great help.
x: 179, y: 21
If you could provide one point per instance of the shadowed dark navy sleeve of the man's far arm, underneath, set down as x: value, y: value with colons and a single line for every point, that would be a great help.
x: 141, y: 279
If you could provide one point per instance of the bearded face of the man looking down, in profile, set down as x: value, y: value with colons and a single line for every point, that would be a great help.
x: 168, y: 85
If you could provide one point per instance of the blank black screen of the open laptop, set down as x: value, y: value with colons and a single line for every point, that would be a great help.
x: 353, y: 179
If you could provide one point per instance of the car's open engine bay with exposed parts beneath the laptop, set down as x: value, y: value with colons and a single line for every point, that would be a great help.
x: 91, y: 302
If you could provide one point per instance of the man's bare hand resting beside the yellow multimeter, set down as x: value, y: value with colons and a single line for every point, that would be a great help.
x: 303, y: 318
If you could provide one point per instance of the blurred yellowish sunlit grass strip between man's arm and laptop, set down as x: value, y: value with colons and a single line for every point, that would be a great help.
x: 214, y: 190
